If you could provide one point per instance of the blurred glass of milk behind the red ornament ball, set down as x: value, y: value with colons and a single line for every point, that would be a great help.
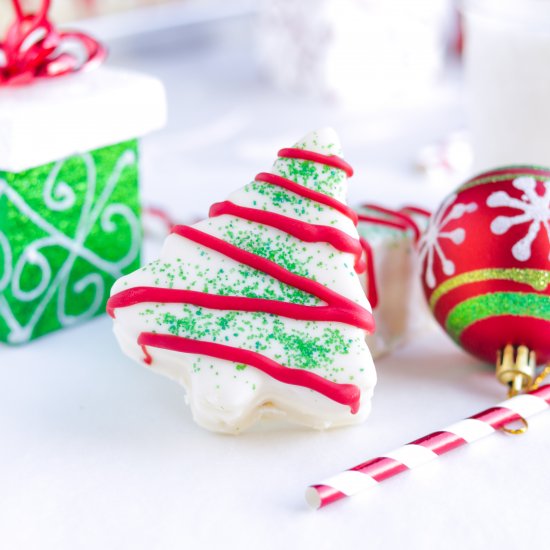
x: 507, y: 60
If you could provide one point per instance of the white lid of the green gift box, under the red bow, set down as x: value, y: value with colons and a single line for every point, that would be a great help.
x: 51, y: 119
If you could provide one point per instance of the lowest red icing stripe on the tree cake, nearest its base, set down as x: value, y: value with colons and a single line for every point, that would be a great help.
x: 345, y: 394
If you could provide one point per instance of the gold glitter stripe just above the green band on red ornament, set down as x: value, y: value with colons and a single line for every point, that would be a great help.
x: 539, y: 279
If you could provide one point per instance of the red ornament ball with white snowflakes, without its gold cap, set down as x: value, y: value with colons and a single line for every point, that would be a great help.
x: 486, y: 262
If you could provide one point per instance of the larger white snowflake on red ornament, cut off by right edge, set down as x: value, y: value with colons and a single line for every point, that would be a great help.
x: 535, y: 209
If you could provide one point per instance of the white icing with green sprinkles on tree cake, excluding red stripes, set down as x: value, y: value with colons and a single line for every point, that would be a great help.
x: 229, y: 397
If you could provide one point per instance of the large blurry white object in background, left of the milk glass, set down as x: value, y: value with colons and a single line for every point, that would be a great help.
x: 368, y: 52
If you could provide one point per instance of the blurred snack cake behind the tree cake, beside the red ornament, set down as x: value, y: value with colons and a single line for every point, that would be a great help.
x: 391, y: 280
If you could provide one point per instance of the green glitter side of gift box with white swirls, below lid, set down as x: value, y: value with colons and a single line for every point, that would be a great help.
x: 68, y: 230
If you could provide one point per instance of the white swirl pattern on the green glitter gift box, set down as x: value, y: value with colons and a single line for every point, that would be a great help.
x: 58, y: 196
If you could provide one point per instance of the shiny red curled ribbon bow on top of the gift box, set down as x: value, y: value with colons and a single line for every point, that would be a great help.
x: 33, y: 48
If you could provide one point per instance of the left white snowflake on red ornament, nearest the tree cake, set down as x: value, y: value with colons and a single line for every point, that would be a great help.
x: 429, y: 246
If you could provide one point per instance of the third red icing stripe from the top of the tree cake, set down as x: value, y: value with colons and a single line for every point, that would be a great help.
x: 307, y: 232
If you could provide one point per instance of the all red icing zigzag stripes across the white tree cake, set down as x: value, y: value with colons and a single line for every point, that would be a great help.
x: 338, y: 308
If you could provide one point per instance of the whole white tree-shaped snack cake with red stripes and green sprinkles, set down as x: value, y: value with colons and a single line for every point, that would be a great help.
x: 258, y: 310
